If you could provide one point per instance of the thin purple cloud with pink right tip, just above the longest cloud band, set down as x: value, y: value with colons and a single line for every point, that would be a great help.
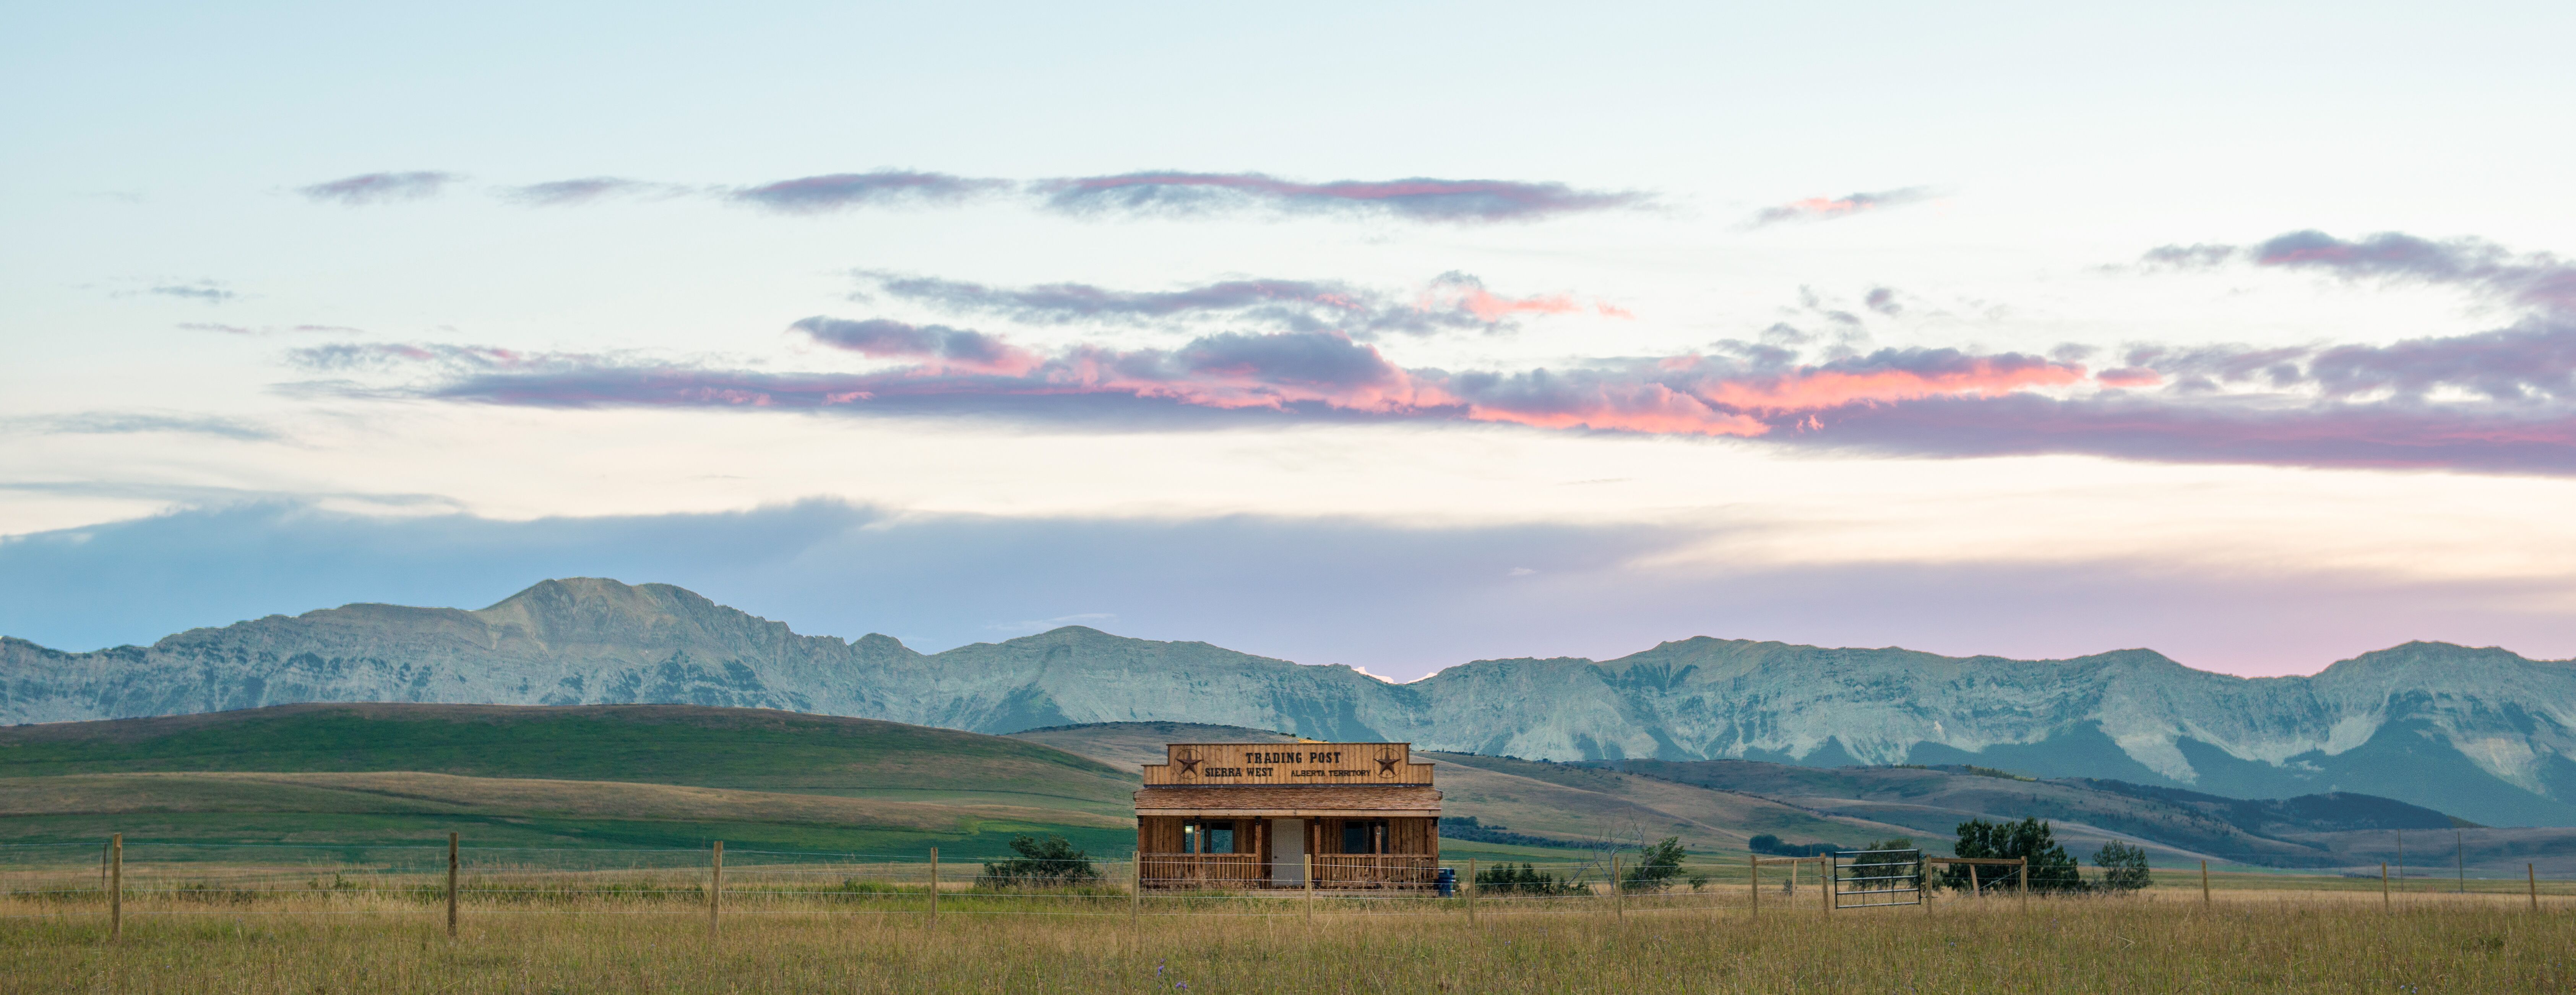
x: 1446, y: 303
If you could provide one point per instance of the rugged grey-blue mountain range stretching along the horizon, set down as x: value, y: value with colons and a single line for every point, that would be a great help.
x: 2474, y: 733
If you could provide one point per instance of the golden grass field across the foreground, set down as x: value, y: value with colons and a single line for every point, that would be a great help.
x: 545, y: 934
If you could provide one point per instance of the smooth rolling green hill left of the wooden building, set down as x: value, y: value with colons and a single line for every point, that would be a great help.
x: 553, y: 777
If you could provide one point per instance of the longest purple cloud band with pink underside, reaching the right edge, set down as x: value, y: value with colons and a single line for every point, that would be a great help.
x: 2479, y: 403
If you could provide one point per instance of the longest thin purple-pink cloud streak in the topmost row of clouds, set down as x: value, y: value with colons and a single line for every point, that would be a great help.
x: 1421, y: 200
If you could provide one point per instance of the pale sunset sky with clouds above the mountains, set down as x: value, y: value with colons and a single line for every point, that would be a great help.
x: 1392, y: 336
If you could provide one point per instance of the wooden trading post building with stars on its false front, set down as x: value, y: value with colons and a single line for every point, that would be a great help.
x: 1256, y: 813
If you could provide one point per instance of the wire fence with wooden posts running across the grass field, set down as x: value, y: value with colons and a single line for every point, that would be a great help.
x: 174, y: 880
